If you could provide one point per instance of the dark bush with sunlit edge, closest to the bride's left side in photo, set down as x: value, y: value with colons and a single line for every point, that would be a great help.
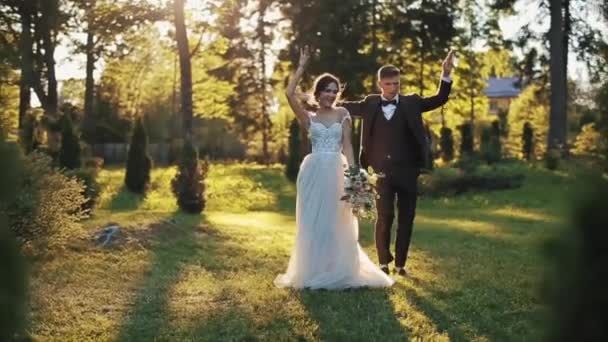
x: 189, y: 182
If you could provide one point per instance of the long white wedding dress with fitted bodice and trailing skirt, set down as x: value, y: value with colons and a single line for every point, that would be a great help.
x: 327, y: 254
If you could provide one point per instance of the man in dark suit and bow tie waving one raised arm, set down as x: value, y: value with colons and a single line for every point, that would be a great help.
x: 394, y: 142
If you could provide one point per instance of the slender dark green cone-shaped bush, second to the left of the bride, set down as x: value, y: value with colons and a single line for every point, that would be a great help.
x: 139, y: 164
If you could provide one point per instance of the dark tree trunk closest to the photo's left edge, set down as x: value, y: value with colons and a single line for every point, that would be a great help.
x: 27, y: 61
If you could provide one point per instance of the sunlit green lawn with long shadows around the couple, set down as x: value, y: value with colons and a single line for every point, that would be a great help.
x: 476, y: 262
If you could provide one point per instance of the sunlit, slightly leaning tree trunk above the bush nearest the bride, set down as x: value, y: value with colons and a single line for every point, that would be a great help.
x: 185, y: 67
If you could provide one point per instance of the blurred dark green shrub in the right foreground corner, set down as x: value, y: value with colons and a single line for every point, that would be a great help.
x: 575, y: 285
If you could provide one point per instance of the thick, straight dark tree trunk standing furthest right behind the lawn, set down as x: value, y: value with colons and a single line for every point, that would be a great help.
x: 557, y: 118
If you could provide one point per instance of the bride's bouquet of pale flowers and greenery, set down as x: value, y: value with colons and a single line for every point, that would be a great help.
x: 360, y: 192
